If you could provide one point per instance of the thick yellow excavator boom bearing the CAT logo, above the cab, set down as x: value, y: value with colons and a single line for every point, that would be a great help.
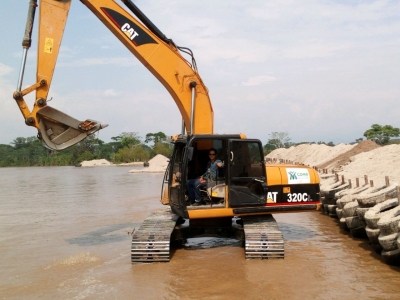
x: 162, y: 58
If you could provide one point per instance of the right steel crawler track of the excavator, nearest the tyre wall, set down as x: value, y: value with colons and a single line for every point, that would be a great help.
x: 263, y: 239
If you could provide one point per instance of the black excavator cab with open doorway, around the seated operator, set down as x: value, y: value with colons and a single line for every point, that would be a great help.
x: 239, y: 183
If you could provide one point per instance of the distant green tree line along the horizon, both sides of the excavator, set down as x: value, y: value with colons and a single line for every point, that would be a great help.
x: 129, y: 147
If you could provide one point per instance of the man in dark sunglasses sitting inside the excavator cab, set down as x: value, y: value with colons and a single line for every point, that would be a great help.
x: 194, y: 185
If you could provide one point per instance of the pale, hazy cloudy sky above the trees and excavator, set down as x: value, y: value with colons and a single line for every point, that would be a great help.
x: 318, y: 70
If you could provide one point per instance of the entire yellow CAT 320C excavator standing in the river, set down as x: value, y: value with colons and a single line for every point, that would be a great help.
x: 246, y: 192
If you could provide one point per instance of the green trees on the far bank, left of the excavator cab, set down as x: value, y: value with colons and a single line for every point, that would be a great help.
x: 126, y: 147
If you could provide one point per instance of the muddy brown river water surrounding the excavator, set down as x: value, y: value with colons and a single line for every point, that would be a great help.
x: 65, y: 234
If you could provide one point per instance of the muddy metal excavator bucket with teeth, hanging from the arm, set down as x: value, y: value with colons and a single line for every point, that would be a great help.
x: 59, y: 131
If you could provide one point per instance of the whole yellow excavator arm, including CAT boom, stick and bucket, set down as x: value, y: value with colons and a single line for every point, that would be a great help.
x: 156, y: 52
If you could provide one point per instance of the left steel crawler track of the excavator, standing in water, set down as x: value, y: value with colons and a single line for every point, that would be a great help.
x: 151, y: 242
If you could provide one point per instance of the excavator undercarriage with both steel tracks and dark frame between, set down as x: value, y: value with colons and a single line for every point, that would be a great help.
x: 260, y: 235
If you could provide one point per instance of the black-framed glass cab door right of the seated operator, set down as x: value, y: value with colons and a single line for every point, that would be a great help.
x: 246, y: 173
